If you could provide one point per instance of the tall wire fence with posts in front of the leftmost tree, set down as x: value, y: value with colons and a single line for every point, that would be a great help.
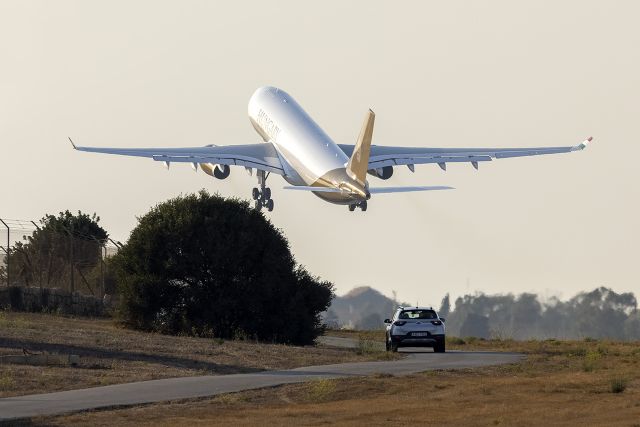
x: 35, y: 256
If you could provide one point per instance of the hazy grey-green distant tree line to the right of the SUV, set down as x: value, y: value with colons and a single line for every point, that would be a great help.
x: 600, y: 313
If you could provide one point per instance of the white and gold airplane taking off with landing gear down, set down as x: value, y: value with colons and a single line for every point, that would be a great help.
x: 296, y: 148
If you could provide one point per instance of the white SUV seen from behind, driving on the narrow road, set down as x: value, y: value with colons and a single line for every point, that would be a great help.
x: 415, y: 327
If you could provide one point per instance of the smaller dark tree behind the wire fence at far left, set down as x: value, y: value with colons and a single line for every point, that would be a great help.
x: 62, y: 246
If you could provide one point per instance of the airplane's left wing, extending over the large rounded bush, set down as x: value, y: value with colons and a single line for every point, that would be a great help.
x: 262, y: 156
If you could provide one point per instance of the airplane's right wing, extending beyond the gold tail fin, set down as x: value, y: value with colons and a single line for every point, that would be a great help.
x: 382, y: 156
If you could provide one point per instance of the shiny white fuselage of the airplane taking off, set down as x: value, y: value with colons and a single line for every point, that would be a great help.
x: 309, y: 155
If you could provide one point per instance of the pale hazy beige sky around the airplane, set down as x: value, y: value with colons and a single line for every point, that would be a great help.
x: 437, y: 73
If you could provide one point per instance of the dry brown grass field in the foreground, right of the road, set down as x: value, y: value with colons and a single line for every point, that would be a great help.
x: 560, y: 383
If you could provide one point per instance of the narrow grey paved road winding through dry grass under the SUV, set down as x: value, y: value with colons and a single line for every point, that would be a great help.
x: 417, y: 360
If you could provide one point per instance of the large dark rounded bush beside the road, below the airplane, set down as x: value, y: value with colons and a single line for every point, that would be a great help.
x: 204, y: 265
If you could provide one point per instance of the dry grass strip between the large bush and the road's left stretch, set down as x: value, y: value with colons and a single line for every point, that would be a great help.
x: 110, y: 354
